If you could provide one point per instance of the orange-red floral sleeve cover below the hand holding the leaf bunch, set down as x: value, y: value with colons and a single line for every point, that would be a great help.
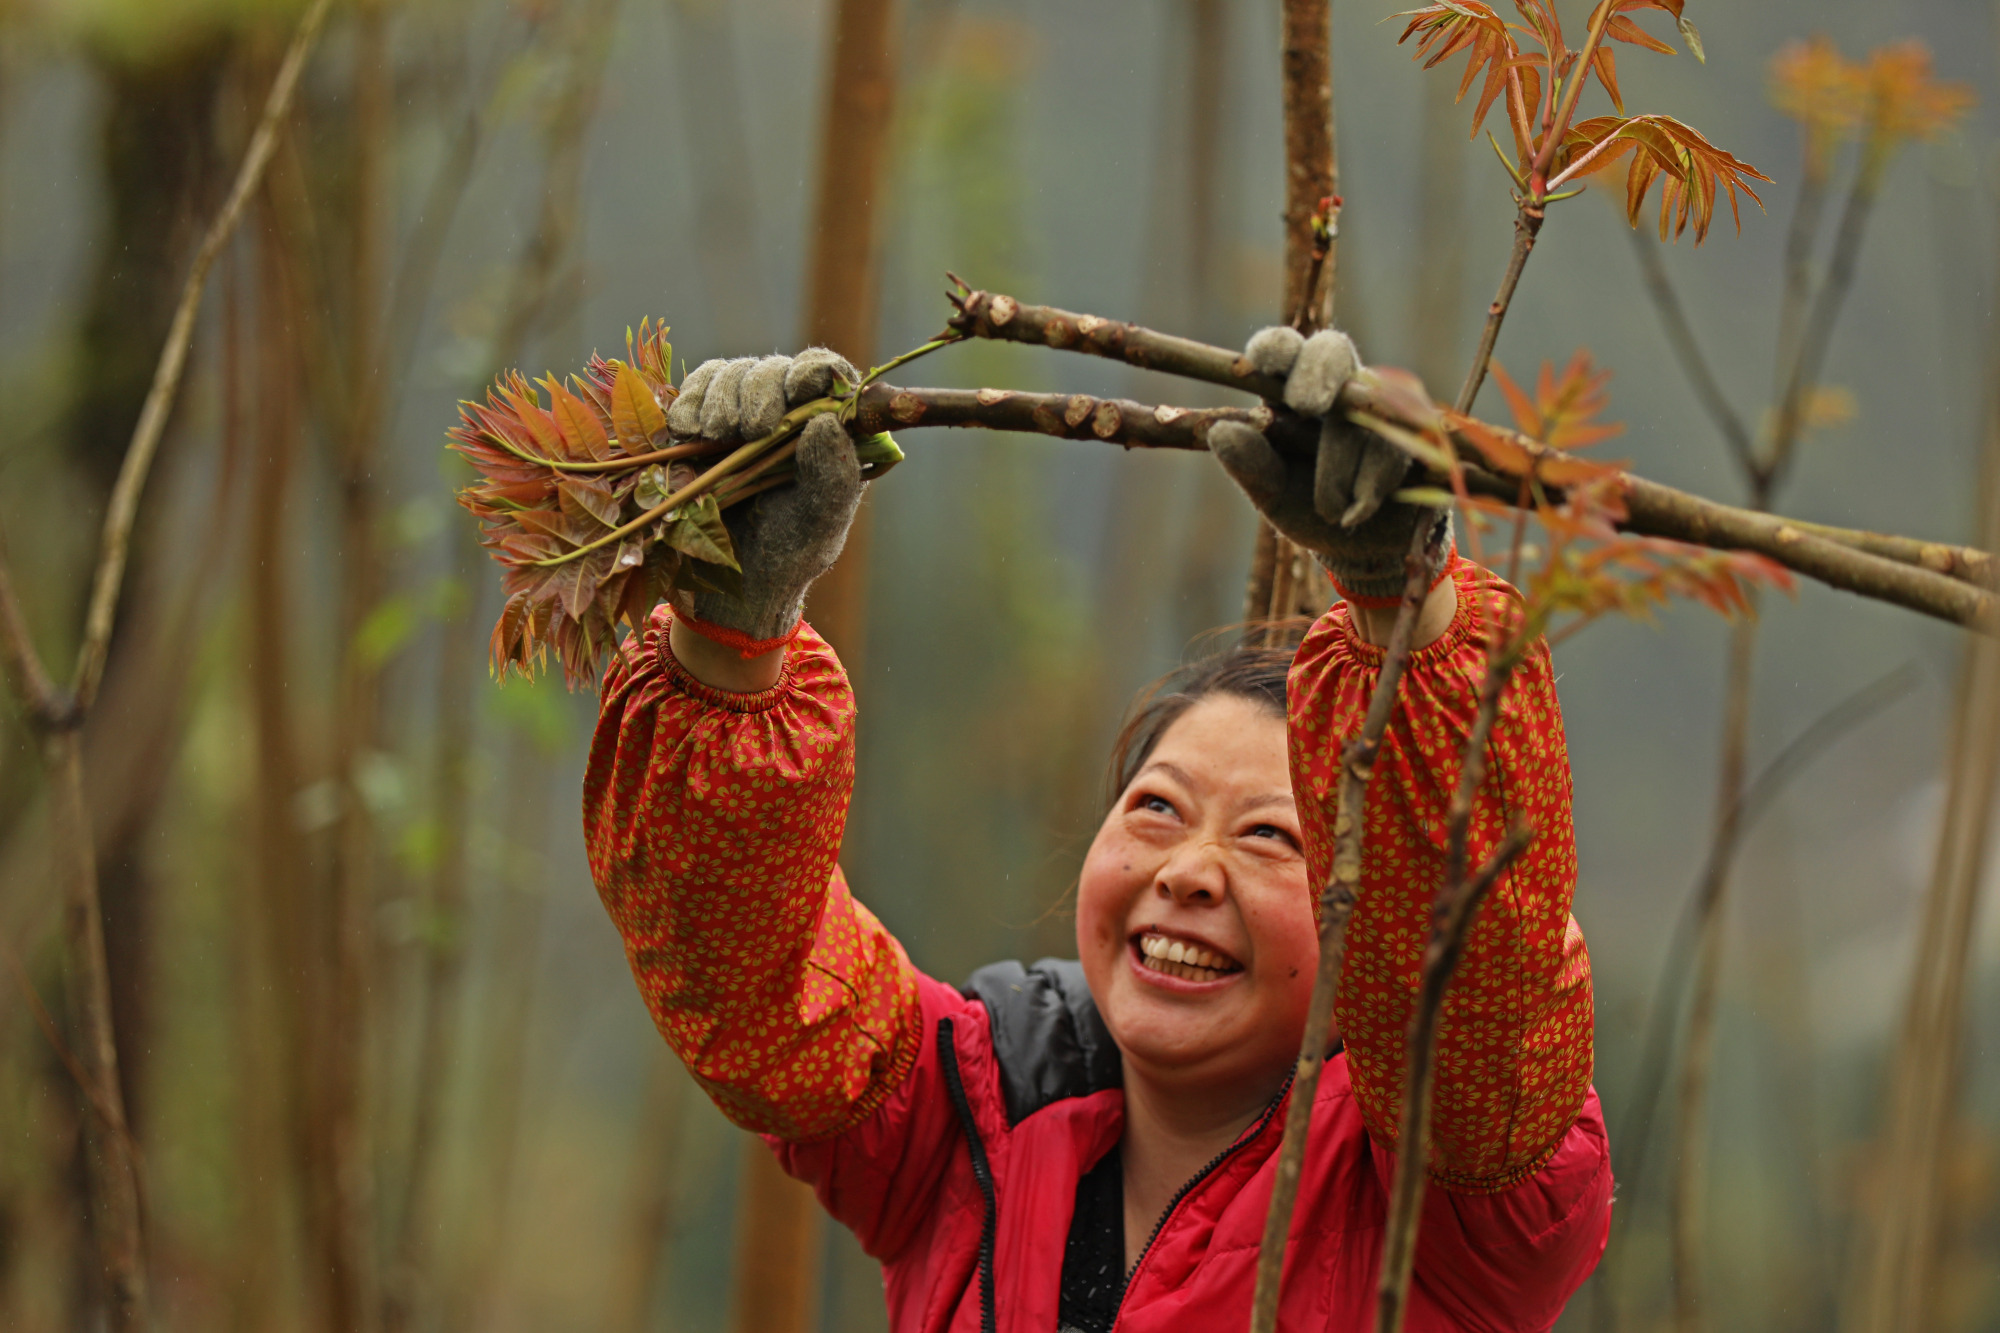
x: 713, y: 826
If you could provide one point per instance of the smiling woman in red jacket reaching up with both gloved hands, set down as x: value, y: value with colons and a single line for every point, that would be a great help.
x: 1087, y: 1144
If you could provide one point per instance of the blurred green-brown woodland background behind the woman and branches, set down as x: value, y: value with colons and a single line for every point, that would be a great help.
x: 297, y: 700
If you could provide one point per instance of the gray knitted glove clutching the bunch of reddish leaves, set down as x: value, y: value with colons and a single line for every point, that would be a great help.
x: 789, y: 535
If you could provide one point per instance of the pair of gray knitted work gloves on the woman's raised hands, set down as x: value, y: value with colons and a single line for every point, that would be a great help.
x: 1337, y: 501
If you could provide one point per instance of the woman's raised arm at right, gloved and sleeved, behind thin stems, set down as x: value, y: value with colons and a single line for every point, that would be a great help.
x: 1521, y: 1170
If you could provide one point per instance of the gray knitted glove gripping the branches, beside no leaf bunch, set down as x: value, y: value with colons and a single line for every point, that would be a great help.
x: 1337, y: 507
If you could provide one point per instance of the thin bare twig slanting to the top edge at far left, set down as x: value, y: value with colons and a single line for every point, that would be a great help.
x: 123, y: 507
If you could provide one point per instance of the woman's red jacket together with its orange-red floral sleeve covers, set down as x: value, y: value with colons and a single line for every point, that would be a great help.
x: 949, y: 1128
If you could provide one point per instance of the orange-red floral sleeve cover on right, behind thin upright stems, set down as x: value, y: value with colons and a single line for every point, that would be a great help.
x: 1517, y: 1026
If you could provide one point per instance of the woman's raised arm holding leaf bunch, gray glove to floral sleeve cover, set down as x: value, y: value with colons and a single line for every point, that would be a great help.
x: 717, y: 800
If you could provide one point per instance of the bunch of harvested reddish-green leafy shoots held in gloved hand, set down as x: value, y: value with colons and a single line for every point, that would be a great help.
x: 597, y: 515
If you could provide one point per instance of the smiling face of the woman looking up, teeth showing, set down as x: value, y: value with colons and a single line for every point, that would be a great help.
x: 1193, y: 914
